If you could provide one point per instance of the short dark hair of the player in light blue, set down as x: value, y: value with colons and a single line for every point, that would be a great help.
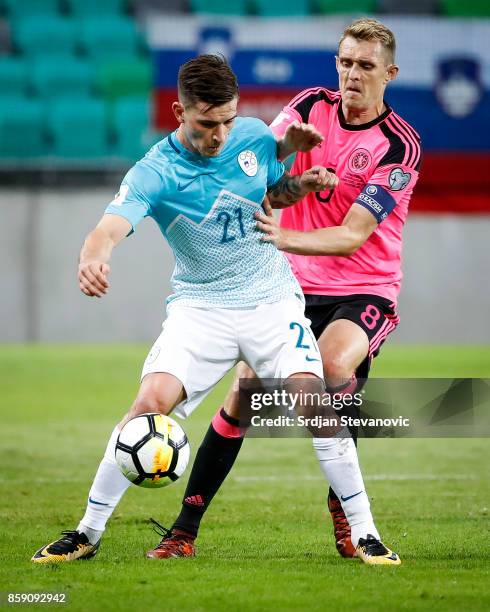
x: 209, y: 79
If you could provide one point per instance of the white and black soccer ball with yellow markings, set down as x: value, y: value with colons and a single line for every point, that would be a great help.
x: 152, y: 450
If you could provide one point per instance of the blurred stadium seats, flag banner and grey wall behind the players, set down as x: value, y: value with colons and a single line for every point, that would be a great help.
x: 83, y: 95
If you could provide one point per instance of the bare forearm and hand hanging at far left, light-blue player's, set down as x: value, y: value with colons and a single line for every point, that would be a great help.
x: 93, y: 267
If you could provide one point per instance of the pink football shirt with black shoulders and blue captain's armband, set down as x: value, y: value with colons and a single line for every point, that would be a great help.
x: 378, y: 165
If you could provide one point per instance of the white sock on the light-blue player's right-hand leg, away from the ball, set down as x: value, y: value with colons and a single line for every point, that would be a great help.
x: 340, y: 465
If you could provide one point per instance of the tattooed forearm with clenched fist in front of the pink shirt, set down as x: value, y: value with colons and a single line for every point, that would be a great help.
x: 290, y: 189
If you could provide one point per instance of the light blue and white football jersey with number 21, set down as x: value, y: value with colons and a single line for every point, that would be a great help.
x: 205, y: 208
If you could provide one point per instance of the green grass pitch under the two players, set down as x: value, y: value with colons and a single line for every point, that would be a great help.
x: 266, y: 542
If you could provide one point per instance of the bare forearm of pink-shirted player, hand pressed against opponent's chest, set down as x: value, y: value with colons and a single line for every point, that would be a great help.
x: 341, y: 240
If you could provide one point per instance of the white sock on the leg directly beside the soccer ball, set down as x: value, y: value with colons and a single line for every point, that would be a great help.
x: 108, y: 487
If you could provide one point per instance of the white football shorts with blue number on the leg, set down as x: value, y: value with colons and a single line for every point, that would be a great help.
x: 200, y: 345
